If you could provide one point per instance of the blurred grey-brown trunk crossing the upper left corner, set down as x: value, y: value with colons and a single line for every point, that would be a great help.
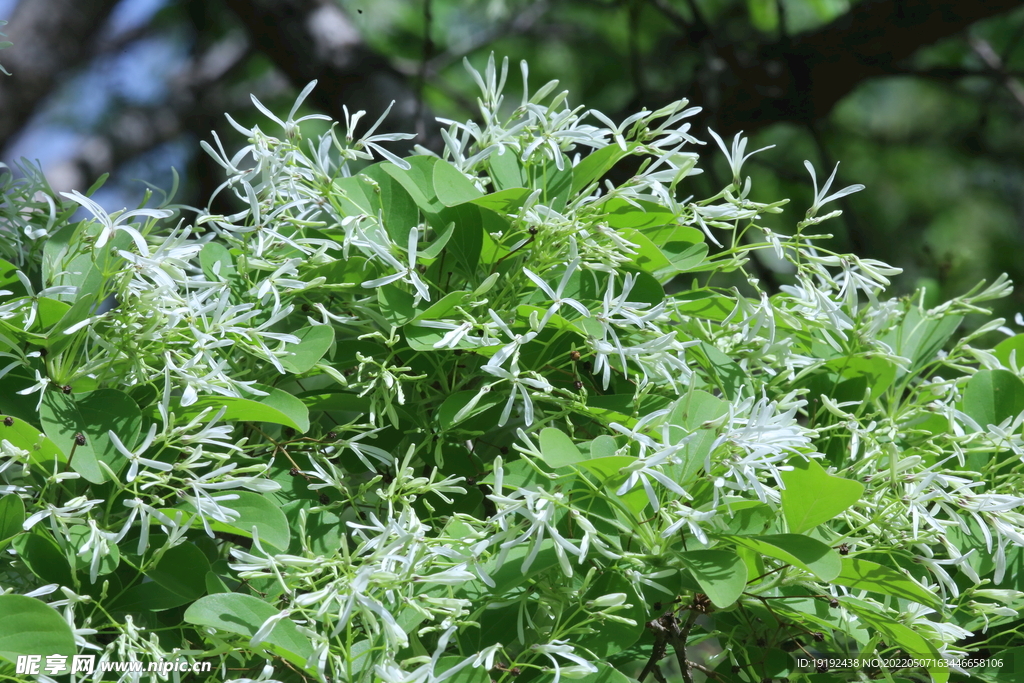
x: 51, y: 38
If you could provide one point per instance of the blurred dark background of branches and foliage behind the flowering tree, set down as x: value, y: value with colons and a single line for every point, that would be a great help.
x: 923, y: 101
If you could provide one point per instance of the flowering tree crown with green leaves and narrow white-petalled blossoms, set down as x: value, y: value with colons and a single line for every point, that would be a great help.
x: 483, y: 417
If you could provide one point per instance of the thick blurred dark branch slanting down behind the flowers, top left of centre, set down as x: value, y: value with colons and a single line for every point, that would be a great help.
x: 314, y: 39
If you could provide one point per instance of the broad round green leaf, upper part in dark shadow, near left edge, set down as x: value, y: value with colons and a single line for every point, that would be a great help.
x: 94, y: 415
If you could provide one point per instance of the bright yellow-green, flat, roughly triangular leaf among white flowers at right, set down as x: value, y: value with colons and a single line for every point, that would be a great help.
x: 813, y: 496
